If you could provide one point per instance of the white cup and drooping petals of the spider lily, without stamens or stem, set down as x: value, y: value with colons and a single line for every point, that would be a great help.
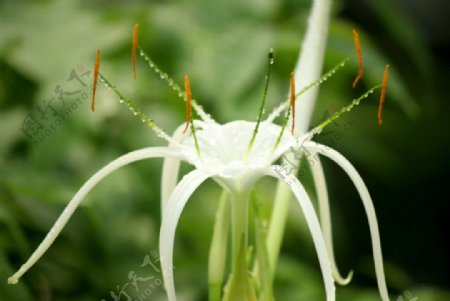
x: 223, y: 158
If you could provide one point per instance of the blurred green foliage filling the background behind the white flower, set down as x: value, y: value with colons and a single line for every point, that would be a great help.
x: 222, y: 45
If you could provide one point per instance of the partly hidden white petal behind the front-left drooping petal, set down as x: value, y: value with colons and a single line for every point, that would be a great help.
x: 170, y: 169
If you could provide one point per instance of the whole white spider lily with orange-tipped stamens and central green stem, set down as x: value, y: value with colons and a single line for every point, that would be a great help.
x: 235, y: 155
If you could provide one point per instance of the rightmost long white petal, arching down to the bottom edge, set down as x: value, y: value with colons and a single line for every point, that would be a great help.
x: 368, y: 206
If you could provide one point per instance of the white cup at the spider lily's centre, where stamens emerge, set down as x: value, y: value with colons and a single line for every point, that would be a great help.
x: 224, y: 151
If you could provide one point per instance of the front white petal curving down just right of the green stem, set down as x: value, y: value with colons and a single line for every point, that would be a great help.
x: 313, y: 224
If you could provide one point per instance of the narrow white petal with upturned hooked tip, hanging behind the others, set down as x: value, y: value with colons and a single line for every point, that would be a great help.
x: 324, y: 213
